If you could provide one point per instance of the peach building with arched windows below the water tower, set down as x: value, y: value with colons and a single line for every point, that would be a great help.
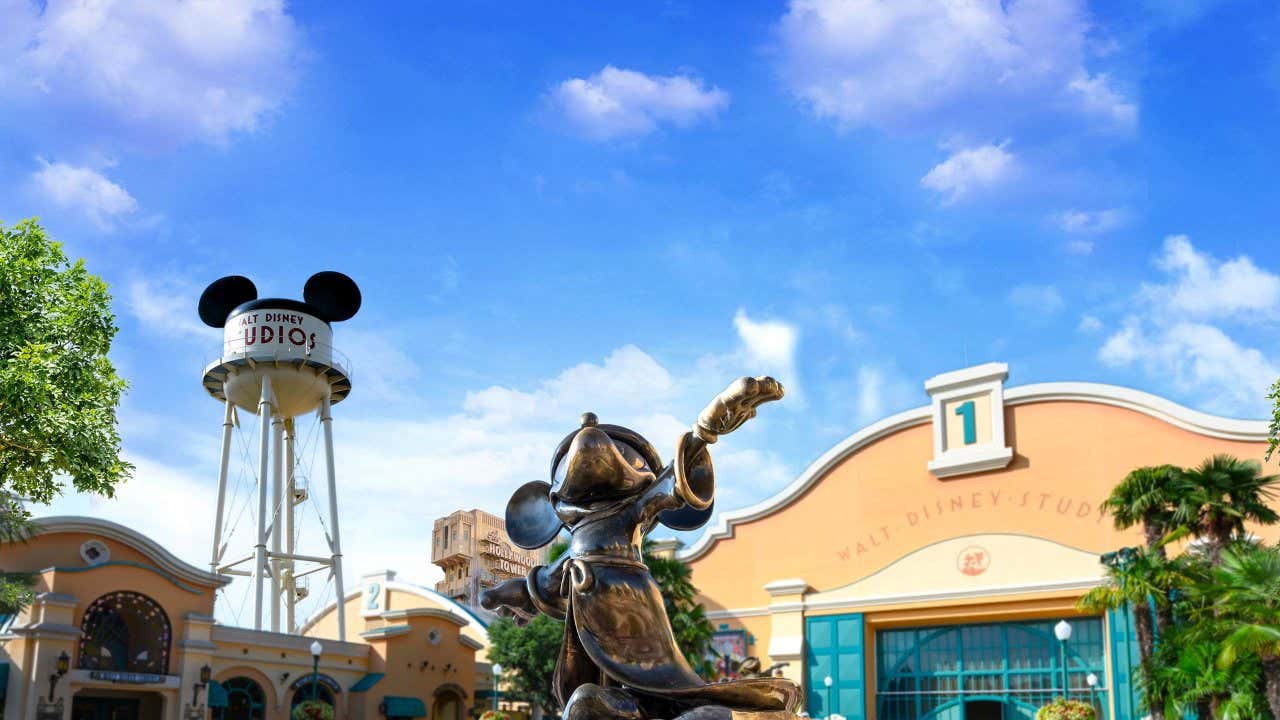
x: 121, y: 630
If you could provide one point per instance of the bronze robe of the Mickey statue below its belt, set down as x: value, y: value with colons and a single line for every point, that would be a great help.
x: 618, y: 634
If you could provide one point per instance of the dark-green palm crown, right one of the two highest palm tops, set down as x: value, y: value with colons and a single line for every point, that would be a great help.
x: 1222, y: 496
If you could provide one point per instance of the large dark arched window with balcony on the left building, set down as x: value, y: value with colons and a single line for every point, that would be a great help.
x: 125, y: 631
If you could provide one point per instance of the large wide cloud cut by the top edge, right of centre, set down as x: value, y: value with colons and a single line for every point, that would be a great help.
x: 943, y: 65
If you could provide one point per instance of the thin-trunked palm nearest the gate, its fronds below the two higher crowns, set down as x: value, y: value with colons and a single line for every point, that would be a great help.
x: 1141, y: 578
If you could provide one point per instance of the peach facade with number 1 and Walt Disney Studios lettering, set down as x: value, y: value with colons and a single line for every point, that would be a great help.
x: 917, y: 571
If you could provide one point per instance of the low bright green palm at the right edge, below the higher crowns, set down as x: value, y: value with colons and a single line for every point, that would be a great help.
x: 1249, y: 582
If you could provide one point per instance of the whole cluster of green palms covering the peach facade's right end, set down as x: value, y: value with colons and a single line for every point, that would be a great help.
x: 1215, y: 654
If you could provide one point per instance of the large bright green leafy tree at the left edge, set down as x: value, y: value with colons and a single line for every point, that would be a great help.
x: 58, y: 390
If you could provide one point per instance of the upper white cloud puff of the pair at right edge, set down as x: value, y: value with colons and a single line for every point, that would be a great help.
x: 1205, y: 288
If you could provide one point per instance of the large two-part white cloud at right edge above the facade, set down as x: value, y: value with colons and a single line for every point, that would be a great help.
x: 1182, y: 330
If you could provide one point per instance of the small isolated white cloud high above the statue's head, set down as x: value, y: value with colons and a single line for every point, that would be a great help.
x: 619, y: 103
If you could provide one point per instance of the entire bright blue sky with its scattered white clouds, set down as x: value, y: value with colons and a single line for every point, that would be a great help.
x: 623, y: 208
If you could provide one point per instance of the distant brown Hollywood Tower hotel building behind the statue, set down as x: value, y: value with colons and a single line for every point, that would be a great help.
x: 474, y: 552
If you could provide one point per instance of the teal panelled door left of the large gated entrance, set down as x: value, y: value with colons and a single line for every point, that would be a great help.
x: 835, y: 649
